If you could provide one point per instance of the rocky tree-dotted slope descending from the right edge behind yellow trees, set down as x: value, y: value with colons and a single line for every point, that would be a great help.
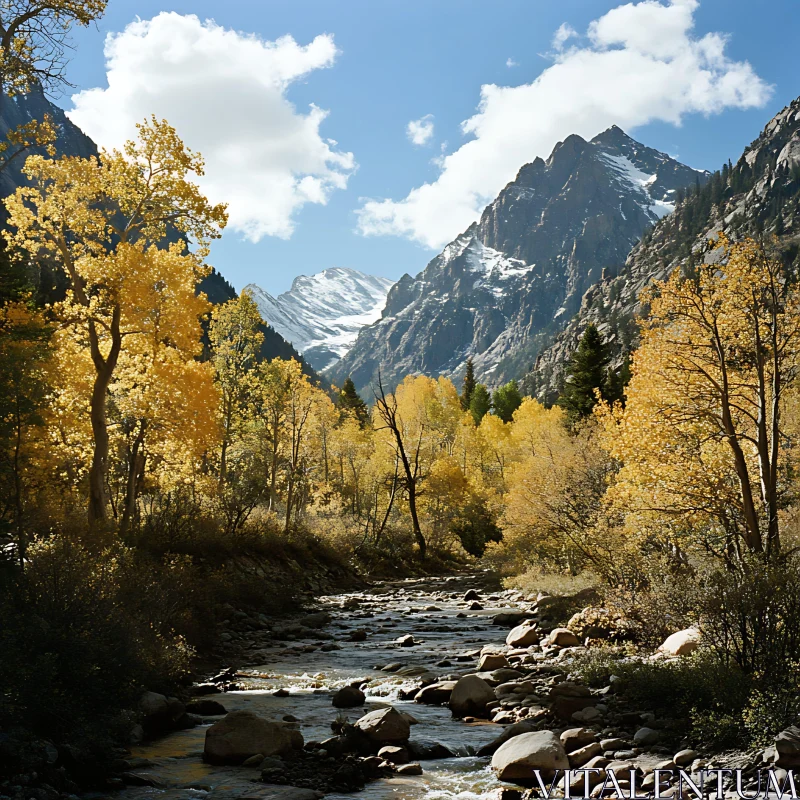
x: 757, y: 196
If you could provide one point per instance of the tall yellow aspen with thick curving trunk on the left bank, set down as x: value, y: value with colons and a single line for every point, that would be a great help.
x: 103, y: 220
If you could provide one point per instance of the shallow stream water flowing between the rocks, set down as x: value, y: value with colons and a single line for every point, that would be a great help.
x: 426, y: 608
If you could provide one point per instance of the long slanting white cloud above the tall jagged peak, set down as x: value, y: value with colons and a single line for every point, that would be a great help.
x: 639, y: 63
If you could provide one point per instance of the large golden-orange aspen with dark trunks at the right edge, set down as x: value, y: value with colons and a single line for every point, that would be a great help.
x: 702, y: 437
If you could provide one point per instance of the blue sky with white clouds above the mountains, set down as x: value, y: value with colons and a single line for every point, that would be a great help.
x: 369, y: 133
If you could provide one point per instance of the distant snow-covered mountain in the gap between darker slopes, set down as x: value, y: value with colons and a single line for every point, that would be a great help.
x: 322, y: 314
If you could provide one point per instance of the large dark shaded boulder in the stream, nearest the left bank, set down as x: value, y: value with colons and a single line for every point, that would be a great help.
x: 243, y: 734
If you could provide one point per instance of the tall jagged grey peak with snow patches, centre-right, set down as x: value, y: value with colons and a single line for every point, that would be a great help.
x: 500, y: 290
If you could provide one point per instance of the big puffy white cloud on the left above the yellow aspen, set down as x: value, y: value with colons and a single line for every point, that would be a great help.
x: 225, y: 93
